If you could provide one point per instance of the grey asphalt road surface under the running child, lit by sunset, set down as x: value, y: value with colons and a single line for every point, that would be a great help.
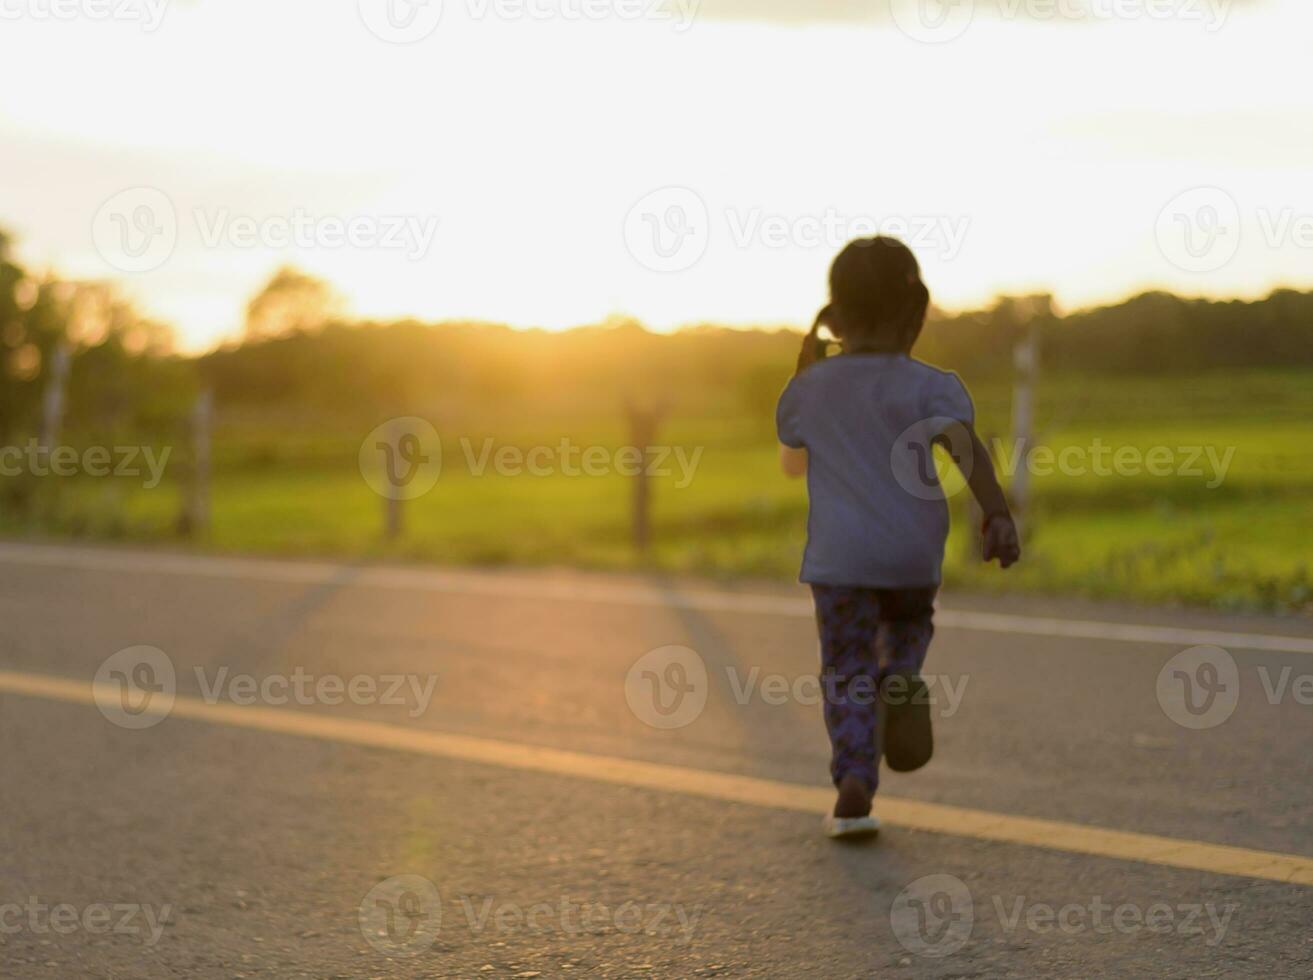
x: 207, y: 847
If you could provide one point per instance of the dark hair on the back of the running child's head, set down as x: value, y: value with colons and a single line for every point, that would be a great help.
x: 876, y: 286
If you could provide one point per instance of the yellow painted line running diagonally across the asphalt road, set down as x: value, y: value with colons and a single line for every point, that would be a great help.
x: 958, y: 822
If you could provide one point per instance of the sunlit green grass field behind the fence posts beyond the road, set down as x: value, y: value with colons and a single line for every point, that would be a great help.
x: 1239, y: 538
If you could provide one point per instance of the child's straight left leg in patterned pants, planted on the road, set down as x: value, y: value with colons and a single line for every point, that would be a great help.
x: 849, y: 621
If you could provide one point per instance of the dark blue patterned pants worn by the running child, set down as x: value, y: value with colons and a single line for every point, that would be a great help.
x: 866, y: 635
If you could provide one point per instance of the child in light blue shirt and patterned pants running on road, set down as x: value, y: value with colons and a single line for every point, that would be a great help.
x: 861, y: 426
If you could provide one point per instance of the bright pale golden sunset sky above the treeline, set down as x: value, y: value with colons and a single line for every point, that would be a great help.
x: 552, y: 162
